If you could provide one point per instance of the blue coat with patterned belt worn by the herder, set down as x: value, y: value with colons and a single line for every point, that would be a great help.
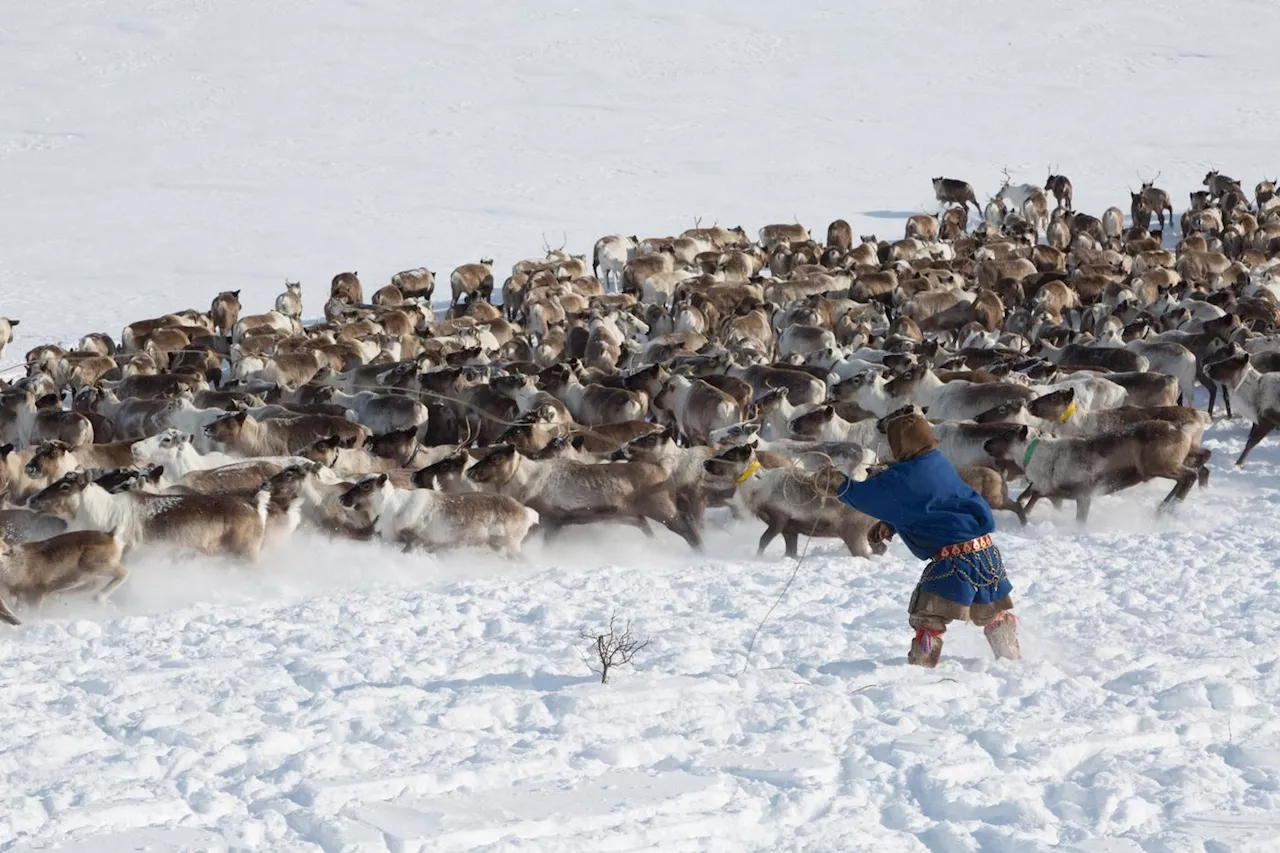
x: 931, y: 508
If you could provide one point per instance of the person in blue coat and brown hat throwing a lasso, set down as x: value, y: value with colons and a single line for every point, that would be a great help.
x: 944, y: 521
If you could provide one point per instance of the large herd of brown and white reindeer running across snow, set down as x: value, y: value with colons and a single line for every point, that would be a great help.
x: 662, y: 378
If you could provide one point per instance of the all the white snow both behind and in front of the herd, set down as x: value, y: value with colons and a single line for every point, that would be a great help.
x: 349, y: 699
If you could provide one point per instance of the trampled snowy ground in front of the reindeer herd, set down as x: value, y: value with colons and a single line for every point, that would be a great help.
x: 333, y: 703
